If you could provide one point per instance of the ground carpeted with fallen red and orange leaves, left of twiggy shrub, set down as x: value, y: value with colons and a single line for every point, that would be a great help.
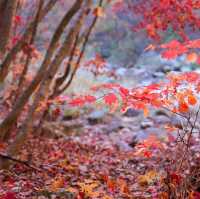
x: 85, y: 165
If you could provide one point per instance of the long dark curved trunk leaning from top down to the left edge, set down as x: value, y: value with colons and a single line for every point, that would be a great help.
x: 23, y: 99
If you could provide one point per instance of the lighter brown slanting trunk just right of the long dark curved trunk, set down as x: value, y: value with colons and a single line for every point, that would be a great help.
x: 44, y: 89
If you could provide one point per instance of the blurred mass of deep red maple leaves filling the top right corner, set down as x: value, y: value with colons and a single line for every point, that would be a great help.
x: 159, y: 15
